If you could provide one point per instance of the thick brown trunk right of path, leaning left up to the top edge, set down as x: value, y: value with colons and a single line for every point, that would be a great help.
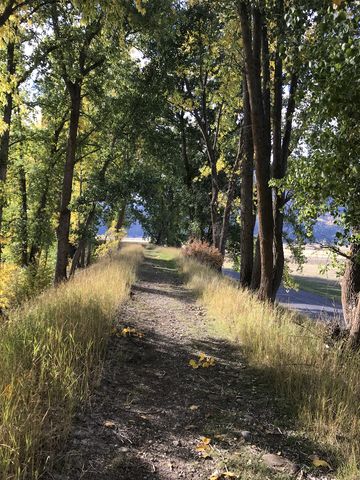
x: 261, y: 142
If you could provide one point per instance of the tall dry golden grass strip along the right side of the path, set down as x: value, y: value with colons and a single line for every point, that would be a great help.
x: 320, y: 382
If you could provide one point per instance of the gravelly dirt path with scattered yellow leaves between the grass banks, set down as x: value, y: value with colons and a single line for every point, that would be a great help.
x: 151, y: 408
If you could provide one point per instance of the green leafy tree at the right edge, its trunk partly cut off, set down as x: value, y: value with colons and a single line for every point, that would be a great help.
x: 324, y: 175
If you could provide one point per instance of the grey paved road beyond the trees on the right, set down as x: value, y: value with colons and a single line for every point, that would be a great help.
x: 307, y: 303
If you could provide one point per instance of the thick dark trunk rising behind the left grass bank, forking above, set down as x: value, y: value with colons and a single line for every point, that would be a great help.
x: 63, y: 229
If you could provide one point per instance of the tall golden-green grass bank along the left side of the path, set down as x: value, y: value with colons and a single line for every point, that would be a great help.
x: 51, y: 351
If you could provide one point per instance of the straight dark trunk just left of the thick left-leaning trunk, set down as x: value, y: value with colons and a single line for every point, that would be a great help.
x: 246, y: 196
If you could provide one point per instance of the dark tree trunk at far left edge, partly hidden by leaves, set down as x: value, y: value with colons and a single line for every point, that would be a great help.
x: 5, y: 137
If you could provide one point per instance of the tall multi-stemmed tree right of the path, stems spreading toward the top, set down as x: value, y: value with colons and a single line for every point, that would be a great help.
x: 272, y: 35
